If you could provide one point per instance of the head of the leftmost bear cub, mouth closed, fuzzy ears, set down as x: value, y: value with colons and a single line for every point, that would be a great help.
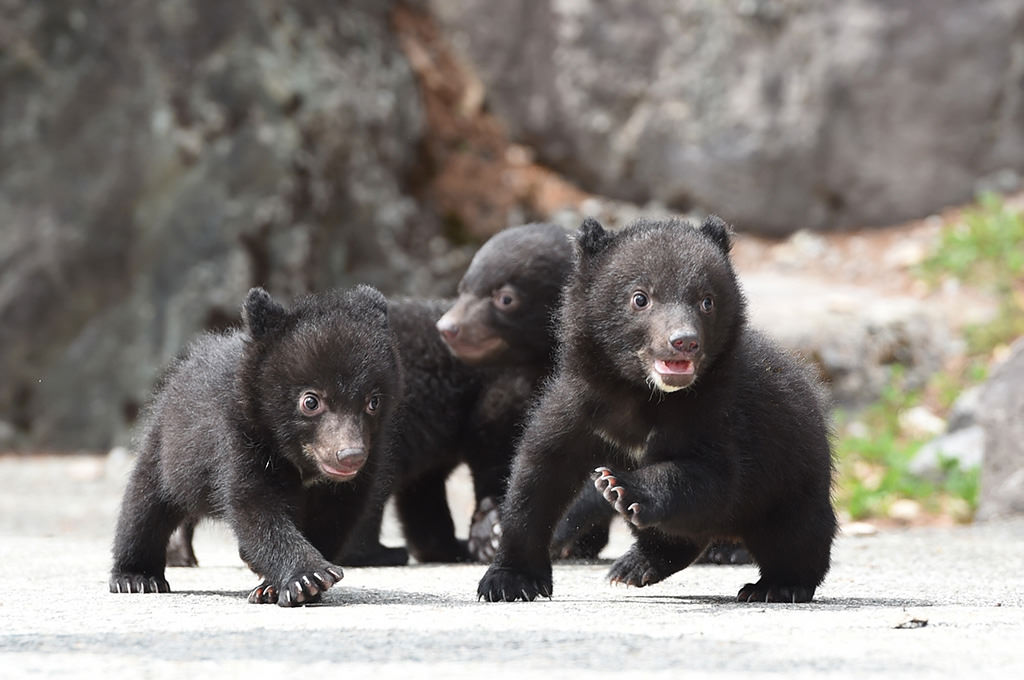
x: 321, y: 379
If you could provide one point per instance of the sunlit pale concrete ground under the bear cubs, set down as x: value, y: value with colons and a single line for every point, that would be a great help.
x: 924, y: 603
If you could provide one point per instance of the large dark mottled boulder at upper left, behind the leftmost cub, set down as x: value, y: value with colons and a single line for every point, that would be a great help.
x: 157, y: 159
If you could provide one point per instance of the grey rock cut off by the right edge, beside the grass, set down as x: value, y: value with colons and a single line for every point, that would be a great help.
x: 1002, y: 417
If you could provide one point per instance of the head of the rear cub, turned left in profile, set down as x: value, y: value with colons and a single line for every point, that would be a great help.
x: 508, y: 296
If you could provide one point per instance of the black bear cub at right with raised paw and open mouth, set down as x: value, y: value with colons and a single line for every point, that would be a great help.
x: 701, y: 429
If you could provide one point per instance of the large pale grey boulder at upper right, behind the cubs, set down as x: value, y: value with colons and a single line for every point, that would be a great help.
x: 776, y: 114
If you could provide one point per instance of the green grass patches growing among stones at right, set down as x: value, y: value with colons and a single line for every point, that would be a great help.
x: 986, y: 250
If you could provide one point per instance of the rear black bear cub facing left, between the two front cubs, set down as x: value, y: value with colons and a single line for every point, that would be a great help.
x: 503, y: 325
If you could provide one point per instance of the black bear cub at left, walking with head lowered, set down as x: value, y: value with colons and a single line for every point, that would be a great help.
x: 279, y: 429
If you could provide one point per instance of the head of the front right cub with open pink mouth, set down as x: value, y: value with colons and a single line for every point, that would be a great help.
x: 657, y: 304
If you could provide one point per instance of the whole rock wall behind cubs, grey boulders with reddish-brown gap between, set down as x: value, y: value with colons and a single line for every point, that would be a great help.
x: 157, y: 159
